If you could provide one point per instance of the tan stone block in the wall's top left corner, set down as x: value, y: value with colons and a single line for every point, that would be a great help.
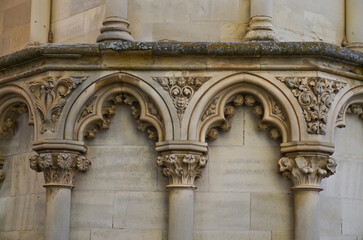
x: 18, y: 15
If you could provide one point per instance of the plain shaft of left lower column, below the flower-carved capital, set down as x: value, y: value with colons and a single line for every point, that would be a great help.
x: 58, y: 209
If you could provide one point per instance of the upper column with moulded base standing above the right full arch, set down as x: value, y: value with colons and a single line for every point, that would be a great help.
x: 261, y: 27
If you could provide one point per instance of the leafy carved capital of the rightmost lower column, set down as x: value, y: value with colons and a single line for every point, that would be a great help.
x: 307, y: 170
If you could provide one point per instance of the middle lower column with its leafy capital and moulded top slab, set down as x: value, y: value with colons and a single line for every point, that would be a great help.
x: 182, y: 166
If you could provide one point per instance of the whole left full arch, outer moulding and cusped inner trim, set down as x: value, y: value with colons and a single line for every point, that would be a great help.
x: 99, y: 92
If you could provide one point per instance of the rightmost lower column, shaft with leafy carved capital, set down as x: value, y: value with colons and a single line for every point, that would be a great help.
x: 306, y: 170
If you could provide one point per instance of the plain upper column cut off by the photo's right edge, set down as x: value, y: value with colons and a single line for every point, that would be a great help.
x: 354, y: 20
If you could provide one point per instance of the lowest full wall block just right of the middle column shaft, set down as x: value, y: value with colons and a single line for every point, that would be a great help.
x: 222, y: 211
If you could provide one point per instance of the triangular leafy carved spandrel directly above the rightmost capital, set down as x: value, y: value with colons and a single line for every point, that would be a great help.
x: 315, y: 96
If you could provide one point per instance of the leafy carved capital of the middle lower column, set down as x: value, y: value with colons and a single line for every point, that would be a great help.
x: 182, y: 169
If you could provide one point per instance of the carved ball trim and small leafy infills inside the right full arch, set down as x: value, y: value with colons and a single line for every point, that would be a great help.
x: 229, y: 111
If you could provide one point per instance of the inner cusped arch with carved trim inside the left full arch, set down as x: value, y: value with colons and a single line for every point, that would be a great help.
x: 98, y: 111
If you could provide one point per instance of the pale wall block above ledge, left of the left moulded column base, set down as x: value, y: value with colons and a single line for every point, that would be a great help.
x: 68, y: 28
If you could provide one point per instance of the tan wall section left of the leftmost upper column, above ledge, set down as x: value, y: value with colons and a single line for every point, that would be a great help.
x: 14, y: 25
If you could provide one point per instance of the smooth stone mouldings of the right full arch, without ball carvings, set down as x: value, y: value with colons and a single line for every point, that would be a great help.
x: 265, y: 90
